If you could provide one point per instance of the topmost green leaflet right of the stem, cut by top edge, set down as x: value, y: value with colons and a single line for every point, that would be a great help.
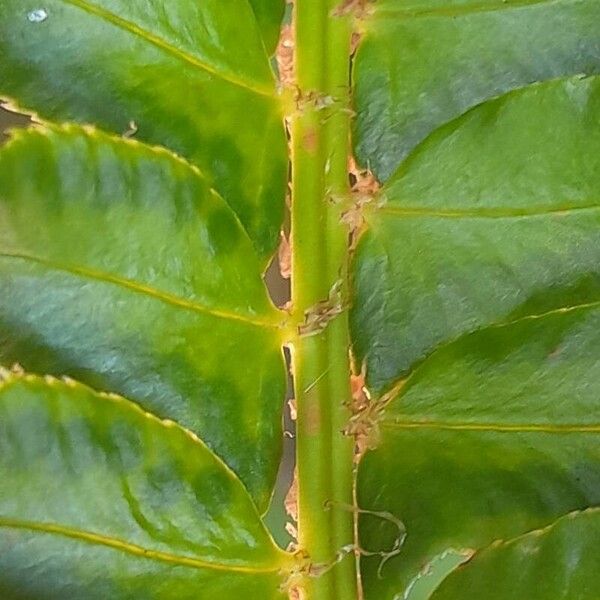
x: 422, y: 63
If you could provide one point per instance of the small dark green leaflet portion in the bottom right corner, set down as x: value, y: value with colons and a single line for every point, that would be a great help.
x: 560, y: 562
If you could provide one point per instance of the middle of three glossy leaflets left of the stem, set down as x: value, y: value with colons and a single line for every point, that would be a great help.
x: 119, y: 266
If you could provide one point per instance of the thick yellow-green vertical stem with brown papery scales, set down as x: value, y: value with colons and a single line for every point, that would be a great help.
x: 320, y: 192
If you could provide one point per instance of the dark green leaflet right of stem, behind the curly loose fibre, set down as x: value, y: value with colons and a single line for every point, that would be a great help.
x: 494, y: 435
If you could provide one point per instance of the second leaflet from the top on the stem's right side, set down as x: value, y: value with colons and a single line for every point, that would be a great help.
x: 495, y: 216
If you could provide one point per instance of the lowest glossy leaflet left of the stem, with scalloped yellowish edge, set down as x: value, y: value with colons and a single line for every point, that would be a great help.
x: 151, y: 512
